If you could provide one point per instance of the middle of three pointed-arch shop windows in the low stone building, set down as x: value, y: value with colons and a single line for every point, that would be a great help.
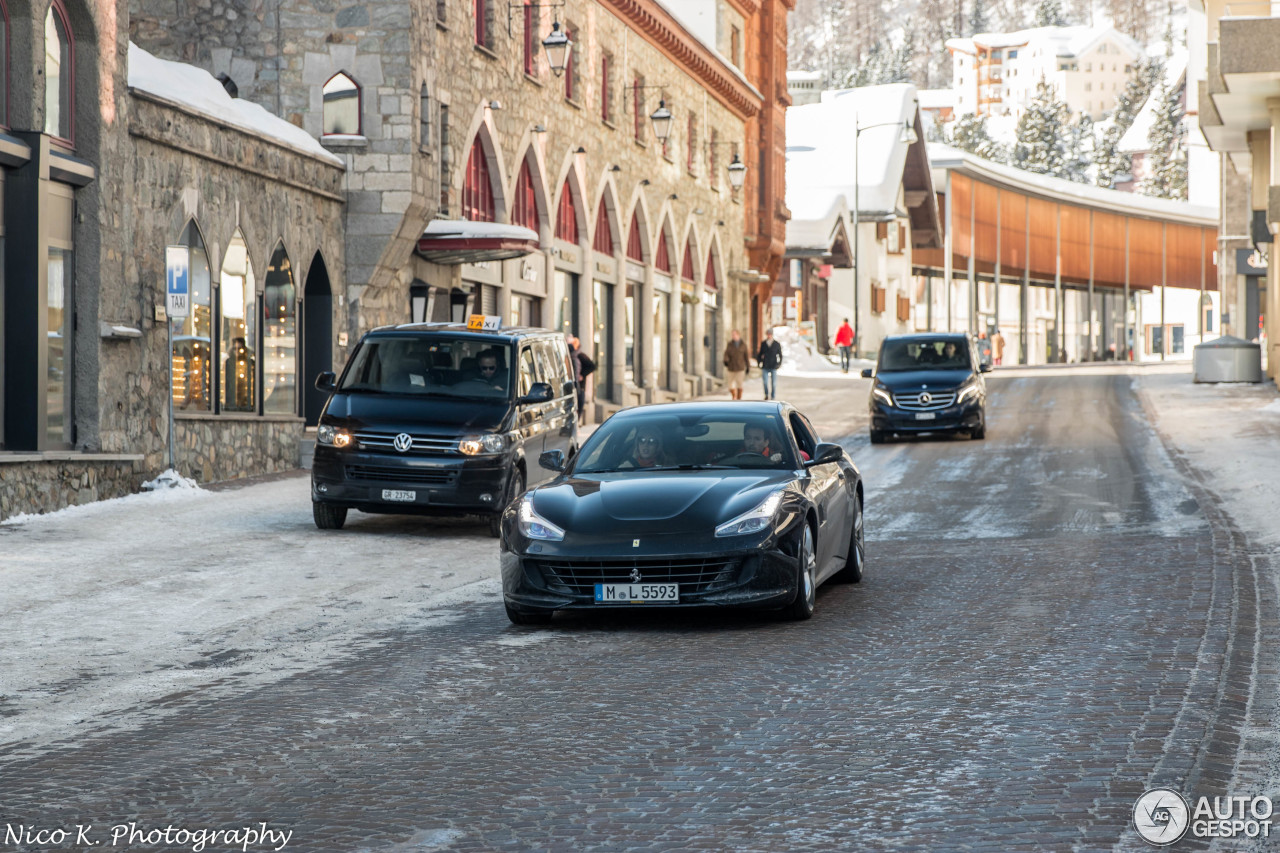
x: 237, y: 341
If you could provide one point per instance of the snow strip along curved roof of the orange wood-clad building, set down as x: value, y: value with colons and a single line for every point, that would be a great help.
x: 944, y: 157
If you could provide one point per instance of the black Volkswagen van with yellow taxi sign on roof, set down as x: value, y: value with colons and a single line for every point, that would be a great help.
x: 438, y: 419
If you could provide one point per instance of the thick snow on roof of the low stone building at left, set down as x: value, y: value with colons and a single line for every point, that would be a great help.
x: 198, y: 92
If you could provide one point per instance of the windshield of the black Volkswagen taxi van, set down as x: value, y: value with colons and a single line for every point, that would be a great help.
x: 431, y: 366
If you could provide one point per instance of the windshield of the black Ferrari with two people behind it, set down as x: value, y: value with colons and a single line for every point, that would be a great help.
x: 657, y: 441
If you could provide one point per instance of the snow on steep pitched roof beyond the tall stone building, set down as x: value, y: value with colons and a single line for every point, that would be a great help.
x: 821, y: 180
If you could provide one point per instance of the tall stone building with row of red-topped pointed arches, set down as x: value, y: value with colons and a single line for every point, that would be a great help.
x: 458, y: 88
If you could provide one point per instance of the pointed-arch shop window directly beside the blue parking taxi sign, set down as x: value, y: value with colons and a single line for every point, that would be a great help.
x: 194, y: 335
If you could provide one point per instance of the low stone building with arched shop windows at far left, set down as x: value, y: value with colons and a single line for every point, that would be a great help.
x: 104, y: 162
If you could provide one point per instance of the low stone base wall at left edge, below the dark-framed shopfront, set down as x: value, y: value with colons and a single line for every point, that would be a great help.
x: 48, y: 485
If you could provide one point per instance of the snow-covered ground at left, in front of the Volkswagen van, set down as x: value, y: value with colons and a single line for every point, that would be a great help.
x: 116, y: 605
